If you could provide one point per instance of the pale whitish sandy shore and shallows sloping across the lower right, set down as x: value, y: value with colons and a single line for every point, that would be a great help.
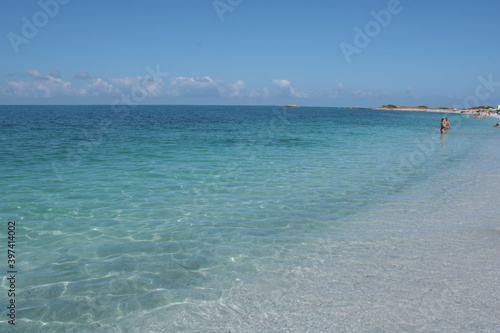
x: 427, y: 261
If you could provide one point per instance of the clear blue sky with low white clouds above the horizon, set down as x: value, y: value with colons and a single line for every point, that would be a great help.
x: 348, y: 53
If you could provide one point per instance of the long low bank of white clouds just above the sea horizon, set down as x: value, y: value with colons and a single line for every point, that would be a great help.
x: 34, y: 84
